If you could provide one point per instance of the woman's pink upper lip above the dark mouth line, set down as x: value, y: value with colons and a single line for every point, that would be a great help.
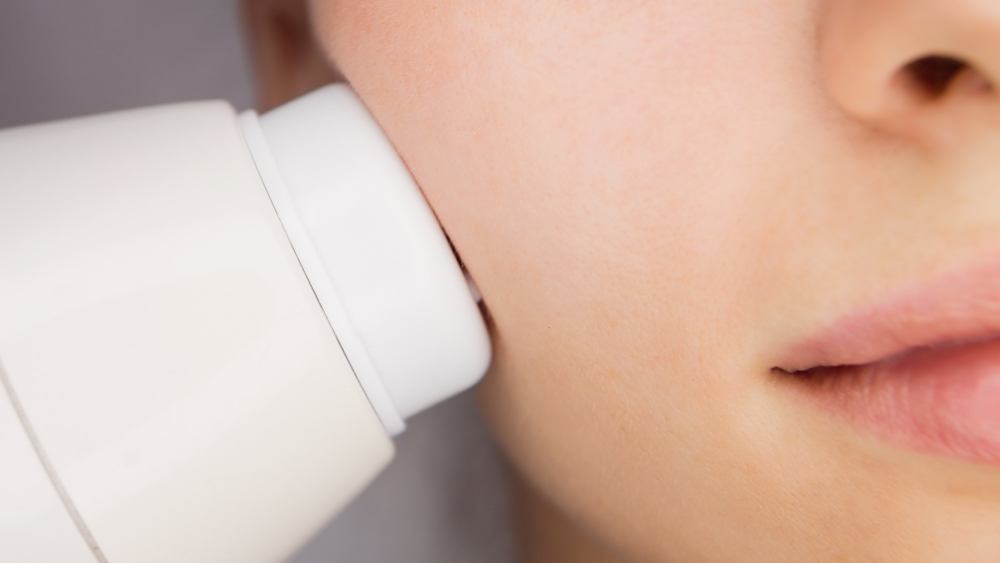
x: 952, y: 309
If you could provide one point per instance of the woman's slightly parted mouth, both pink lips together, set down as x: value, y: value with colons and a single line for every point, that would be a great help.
x: 921, y: 370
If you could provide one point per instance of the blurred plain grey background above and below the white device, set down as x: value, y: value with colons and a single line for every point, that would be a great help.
x: 444, y: 499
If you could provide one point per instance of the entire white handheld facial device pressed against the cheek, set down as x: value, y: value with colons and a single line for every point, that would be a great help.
x: 210, y: 327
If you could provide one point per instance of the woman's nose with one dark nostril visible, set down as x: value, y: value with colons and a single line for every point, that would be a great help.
x: 928, y: 69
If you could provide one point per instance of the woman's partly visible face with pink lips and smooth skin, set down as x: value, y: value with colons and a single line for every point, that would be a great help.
x: 677, y: 211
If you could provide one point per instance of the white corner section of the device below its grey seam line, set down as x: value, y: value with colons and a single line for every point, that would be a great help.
x: 34, y: 523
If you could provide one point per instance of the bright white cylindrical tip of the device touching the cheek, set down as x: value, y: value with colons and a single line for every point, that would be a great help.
x: 373, y: 250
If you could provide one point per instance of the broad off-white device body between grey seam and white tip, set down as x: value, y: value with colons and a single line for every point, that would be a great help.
x: 165, y: 344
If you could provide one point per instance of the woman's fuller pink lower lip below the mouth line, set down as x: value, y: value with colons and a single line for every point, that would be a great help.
x: 942, y: 400
